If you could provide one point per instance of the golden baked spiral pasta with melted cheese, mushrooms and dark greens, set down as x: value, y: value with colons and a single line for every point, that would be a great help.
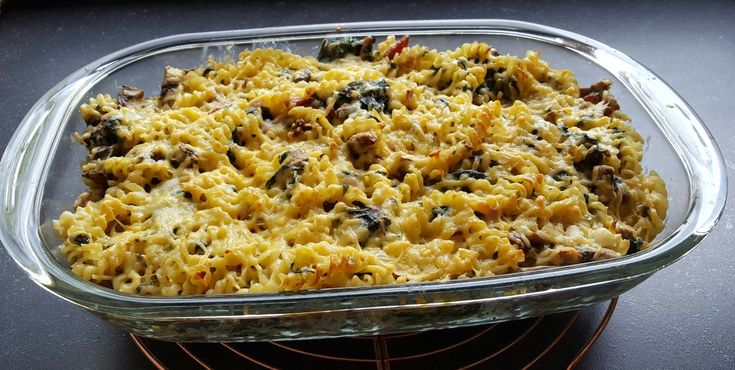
x: 372, y: 163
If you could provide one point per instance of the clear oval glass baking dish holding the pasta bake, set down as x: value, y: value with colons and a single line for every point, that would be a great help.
x: 40, y: 177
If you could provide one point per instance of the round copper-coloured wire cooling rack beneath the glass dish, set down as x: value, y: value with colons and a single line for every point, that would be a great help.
x: 554, y: 341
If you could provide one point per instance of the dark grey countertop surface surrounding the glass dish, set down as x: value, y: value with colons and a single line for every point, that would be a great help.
x: 682, y: 317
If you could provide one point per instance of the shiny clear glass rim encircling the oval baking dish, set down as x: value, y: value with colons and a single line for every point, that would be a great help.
x: 685, y: 131
